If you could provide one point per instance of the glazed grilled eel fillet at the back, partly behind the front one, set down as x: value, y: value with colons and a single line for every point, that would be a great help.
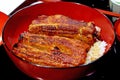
x: 61, y: 25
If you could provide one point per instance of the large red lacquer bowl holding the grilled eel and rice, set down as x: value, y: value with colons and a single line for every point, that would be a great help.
x: 19, y: 22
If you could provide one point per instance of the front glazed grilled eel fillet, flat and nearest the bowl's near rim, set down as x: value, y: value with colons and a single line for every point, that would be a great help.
x: 51, y: 50
